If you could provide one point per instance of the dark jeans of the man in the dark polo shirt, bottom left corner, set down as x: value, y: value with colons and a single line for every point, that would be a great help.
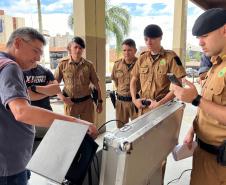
x: 18, y: 179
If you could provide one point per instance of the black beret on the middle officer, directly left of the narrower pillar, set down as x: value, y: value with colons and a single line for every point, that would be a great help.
x: 152, y: 31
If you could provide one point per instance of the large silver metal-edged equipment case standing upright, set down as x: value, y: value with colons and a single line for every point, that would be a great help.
x: 133, y: 155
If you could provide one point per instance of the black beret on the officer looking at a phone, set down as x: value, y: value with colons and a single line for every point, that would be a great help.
x: 209, y: 21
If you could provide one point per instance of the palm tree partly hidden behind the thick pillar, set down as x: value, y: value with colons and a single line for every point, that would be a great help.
x: 117, y: 22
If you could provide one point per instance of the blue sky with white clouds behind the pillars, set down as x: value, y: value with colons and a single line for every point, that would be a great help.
x: 143, y: 12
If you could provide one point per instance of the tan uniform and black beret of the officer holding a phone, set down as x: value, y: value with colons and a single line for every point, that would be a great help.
x: 211, y: 134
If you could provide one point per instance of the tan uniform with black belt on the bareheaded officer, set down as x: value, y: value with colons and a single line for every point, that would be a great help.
x: 121, y: 75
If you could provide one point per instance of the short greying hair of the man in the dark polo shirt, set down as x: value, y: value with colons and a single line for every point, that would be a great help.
x: 26, y: 33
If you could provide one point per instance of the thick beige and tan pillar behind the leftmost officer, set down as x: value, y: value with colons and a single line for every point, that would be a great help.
x: 89, y: 16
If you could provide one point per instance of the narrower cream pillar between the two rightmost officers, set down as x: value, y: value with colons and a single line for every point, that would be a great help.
x: 179, y: 28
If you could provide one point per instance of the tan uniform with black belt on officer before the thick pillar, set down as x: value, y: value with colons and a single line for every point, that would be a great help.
x: 77, y: 78
